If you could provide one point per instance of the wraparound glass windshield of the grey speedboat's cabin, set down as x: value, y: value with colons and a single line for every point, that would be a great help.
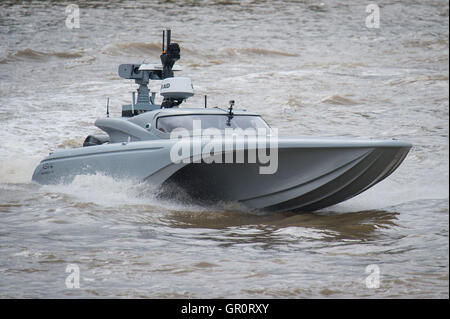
x: 168, y: 123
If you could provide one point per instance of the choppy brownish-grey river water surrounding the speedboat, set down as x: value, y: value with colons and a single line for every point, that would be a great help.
x: 309, y: 67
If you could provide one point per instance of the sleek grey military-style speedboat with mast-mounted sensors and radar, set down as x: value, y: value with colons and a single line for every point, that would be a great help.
x: 220, y: 153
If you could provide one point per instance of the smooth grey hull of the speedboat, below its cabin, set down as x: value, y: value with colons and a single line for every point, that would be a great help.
x: 312, y: 173
